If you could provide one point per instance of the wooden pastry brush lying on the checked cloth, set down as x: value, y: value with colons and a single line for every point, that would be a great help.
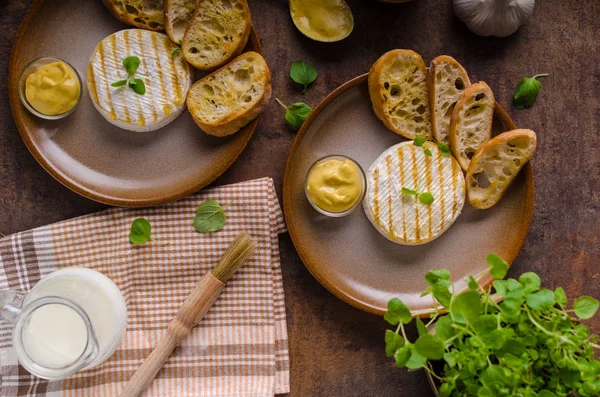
x: 196, y: 305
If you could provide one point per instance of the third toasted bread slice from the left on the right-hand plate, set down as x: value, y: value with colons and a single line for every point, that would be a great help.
x: 471, y: 122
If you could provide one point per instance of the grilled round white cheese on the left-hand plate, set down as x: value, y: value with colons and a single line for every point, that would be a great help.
x: 167, y: 79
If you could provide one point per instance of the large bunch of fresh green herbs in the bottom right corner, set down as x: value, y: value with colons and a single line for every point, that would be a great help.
x: 519, y: 341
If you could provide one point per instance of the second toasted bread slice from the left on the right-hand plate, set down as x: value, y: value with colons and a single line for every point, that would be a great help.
x: 447, y: 81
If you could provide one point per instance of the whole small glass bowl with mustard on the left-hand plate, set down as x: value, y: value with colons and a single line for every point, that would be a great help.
x: 50, y: 88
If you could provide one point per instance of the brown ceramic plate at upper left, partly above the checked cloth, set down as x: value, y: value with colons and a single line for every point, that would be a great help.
x: 85, y: 152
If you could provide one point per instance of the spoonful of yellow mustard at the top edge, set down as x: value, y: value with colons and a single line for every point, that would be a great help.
x: 322, y: 20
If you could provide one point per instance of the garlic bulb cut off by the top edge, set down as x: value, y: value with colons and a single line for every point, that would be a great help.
x: 498, y: 18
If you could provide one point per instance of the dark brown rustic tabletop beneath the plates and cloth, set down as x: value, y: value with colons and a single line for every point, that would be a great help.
x: 337, y: 350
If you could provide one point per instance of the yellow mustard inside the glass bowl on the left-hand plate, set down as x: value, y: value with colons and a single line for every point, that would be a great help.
x: 53, y: 88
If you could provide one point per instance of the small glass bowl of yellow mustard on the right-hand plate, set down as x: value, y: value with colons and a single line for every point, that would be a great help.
x: 335, y: 185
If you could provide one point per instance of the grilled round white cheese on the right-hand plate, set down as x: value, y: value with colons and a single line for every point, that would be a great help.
x: 403, y: 218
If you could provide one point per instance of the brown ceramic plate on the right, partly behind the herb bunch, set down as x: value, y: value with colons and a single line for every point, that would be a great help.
x: 348, y: 255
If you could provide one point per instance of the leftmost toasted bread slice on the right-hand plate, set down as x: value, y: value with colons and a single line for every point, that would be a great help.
x: 398, y: 90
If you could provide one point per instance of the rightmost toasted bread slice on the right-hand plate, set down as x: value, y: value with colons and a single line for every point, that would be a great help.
x: 496, y: 164
